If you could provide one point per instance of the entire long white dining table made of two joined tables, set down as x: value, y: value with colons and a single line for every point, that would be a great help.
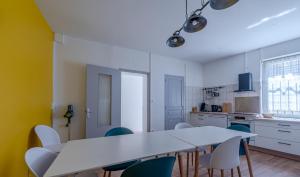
x: 95, y: 153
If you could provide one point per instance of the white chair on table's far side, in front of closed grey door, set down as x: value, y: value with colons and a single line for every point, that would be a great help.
x: 183, y: 125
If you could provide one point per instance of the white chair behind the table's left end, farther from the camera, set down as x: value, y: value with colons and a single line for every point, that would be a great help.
x: 49, y: 138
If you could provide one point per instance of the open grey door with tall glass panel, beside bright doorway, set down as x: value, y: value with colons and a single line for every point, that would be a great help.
x: 103, y: 100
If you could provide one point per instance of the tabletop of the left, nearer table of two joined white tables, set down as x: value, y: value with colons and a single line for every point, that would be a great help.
x: 92, y: 154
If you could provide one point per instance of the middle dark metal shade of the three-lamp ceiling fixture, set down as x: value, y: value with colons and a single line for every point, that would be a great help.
x: 194, y: 23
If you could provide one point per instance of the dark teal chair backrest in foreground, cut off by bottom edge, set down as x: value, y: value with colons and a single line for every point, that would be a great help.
x: 160, y: 167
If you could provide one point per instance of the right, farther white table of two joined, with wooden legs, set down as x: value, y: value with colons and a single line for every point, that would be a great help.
x: 210, y: 135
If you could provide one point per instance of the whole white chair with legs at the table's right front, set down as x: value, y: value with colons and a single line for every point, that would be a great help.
x: 224, y: 157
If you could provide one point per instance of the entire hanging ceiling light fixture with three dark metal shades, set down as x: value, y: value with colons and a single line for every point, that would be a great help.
x: 196, y: 22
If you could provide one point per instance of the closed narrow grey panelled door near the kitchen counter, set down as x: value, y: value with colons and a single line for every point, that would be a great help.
x: 174, y: 101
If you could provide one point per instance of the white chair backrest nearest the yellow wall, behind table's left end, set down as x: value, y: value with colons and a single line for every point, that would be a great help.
x: 47, y: 135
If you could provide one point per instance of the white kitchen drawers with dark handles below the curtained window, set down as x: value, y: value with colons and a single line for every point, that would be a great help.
x: 280, y: 136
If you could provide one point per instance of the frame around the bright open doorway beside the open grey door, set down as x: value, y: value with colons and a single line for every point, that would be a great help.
x: 148, y: 92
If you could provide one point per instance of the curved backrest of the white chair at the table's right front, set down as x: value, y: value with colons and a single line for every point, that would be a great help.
x: 226, y: 155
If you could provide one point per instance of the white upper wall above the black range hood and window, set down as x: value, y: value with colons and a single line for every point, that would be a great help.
x: 225, y: 71
